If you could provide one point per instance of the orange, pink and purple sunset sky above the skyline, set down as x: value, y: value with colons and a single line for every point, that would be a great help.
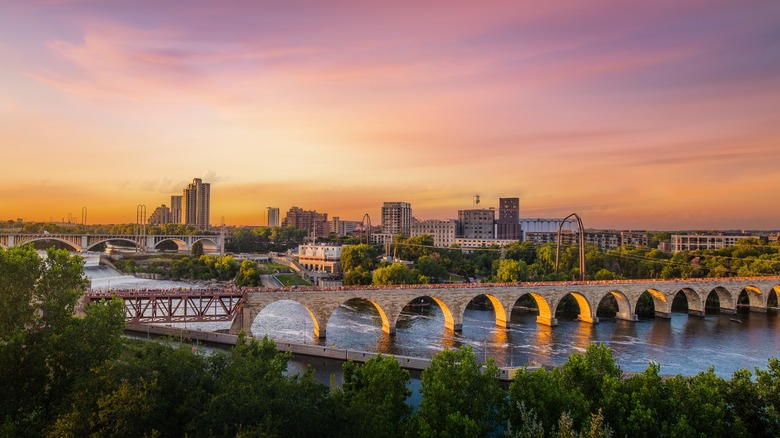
x: 655, y: 115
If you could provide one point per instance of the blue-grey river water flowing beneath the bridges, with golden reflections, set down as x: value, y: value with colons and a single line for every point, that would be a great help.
x: 682, y: 344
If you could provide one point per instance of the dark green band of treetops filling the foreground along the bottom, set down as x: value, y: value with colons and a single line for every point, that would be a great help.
x: 65, y: 375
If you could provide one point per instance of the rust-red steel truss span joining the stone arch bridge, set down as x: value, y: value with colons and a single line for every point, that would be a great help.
x: 176, y: 305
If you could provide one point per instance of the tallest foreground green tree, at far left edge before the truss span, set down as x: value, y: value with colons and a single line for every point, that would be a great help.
x: 45, y: 350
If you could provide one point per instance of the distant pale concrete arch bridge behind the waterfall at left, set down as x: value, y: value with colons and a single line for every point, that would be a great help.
x: 85, y: 242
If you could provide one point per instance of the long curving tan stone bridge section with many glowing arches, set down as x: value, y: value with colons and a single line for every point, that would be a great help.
x: 760, y: 293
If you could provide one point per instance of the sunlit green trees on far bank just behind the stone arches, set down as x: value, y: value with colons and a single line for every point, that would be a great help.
x: 525, y: 261
